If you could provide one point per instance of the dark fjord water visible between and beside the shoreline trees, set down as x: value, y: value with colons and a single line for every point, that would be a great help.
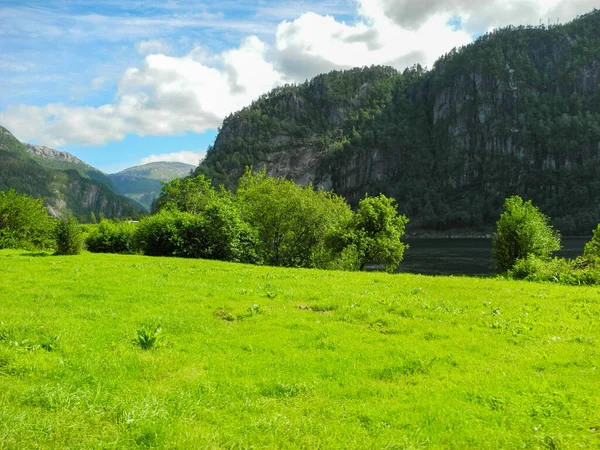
x: 464, y: 256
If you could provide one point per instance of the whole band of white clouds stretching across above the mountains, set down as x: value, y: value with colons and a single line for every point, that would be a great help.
x: 168, y: 95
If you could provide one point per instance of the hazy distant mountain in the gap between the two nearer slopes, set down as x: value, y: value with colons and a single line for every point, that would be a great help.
x: 143, y: 183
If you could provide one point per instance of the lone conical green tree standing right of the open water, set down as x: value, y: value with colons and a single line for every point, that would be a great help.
x: 522, y: 230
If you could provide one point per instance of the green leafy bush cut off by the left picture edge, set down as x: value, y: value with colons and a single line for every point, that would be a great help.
x: 24, y: 222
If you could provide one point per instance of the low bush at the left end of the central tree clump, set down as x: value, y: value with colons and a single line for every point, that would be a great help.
x: 112, y: 237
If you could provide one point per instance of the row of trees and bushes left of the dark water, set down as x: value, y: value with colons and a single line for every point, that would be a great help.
x: 267, y: 220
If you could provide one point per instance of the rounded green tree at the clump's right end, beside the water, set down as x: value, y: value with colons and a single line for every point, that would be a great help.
x: 376, y: 231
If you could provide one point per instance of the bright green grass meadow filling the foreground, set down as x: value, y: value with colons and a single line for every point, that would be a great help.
x: 262, y: 357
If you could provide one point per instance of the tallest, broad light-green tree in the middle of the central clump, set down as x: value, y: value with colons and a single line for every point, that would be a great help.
x: 293, y: 222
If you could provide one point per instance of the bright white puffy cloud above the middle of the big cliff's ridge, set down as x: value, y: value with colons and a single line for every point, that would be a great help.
x: 313, y: 44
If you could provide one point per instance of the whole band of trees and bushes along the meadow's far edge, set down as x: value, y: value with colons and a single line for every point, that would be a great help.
x: 273, y: 221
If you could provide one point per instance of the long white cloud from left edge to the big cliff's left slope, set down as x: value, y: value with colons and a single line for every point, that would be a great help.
x: 165, y: 96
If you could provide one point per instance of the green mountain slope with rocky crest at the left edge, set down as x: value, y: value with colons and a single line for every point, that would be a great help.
x: 66, y: 191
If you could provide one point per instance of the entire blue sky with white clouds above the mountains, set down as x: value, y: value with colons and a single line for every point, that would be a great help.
x: 119, y: 83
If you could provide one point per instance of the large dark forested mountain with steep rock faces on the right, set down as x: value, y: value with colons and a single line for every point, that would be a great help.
x: 515, y: 112
